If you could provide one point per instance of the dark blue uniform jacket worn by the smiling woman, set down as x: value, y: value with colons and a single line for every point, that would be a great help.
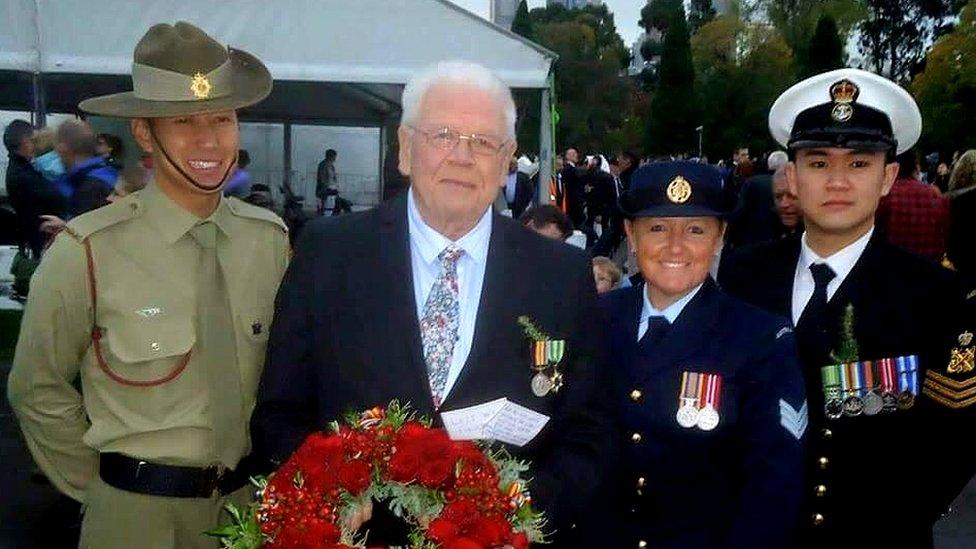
x: 738, y: 485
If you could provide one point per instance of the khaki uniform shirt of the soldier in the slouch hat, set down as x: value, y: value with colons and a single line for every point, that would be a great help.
x: 145, y: 265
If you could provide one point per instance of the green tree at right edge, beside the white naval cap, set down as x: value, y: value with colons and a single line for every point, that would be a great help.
x: 946, y: 88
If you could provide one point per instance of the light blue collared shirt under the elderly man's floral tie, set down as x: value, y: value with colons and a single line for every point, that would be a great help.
x: 425, y: 245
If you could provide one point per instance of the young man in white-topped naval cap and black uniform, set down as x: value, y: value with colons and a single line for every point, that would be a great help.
x: 874, y: 323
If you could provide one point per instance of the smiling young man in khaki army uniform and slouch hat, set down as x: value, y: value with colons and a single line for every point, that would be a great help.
x: 161, y: 303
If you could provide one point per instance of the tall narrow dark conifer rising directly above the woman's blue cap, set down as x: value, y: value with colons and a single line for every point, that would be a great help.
x: 674, y: 106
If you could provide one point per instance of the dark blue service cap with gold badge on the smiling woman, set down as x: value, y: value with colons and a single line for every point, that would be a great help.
x: 677, y: 189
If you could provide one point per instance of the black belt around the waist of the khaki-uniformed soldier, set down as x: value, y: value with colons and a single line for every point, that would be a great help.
x: 142, y: 477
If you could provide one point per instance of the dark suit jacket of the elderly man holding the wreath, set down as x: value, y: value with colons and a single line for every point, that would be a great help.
x: 346, y: 337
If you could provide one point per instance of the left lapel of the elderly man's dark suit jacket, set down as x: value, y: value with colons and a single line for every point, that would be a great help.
x: 396, y: 288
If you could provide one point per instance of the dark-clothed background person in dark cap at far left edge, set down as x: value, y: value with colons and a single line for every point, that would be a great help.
x: 31, y: 195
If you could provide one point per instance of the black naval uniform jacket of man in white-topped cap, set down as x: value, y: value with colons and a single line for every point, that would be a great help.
x: 903, y: 305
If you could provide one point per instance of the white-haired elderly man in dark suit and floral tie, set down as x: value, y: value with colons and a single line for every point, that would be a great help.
x: 419, y: 300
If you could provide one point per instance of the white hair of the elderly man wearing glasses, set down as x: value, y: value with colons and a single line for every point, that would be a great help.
x: 460, y: 73
